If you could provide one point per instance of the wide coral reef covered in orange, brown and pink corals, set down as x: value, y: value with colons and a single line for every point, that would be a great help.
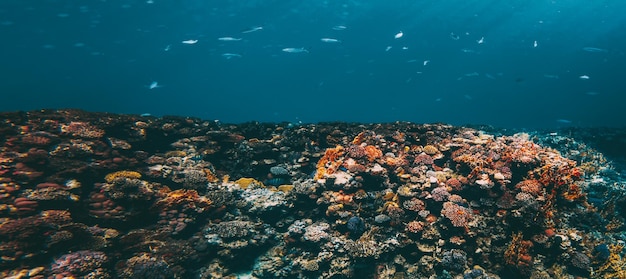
x: 89, y: 195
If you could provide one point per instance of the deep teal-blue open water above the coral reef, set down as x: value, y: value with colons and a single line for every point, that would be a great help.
x: 103, y: 56
